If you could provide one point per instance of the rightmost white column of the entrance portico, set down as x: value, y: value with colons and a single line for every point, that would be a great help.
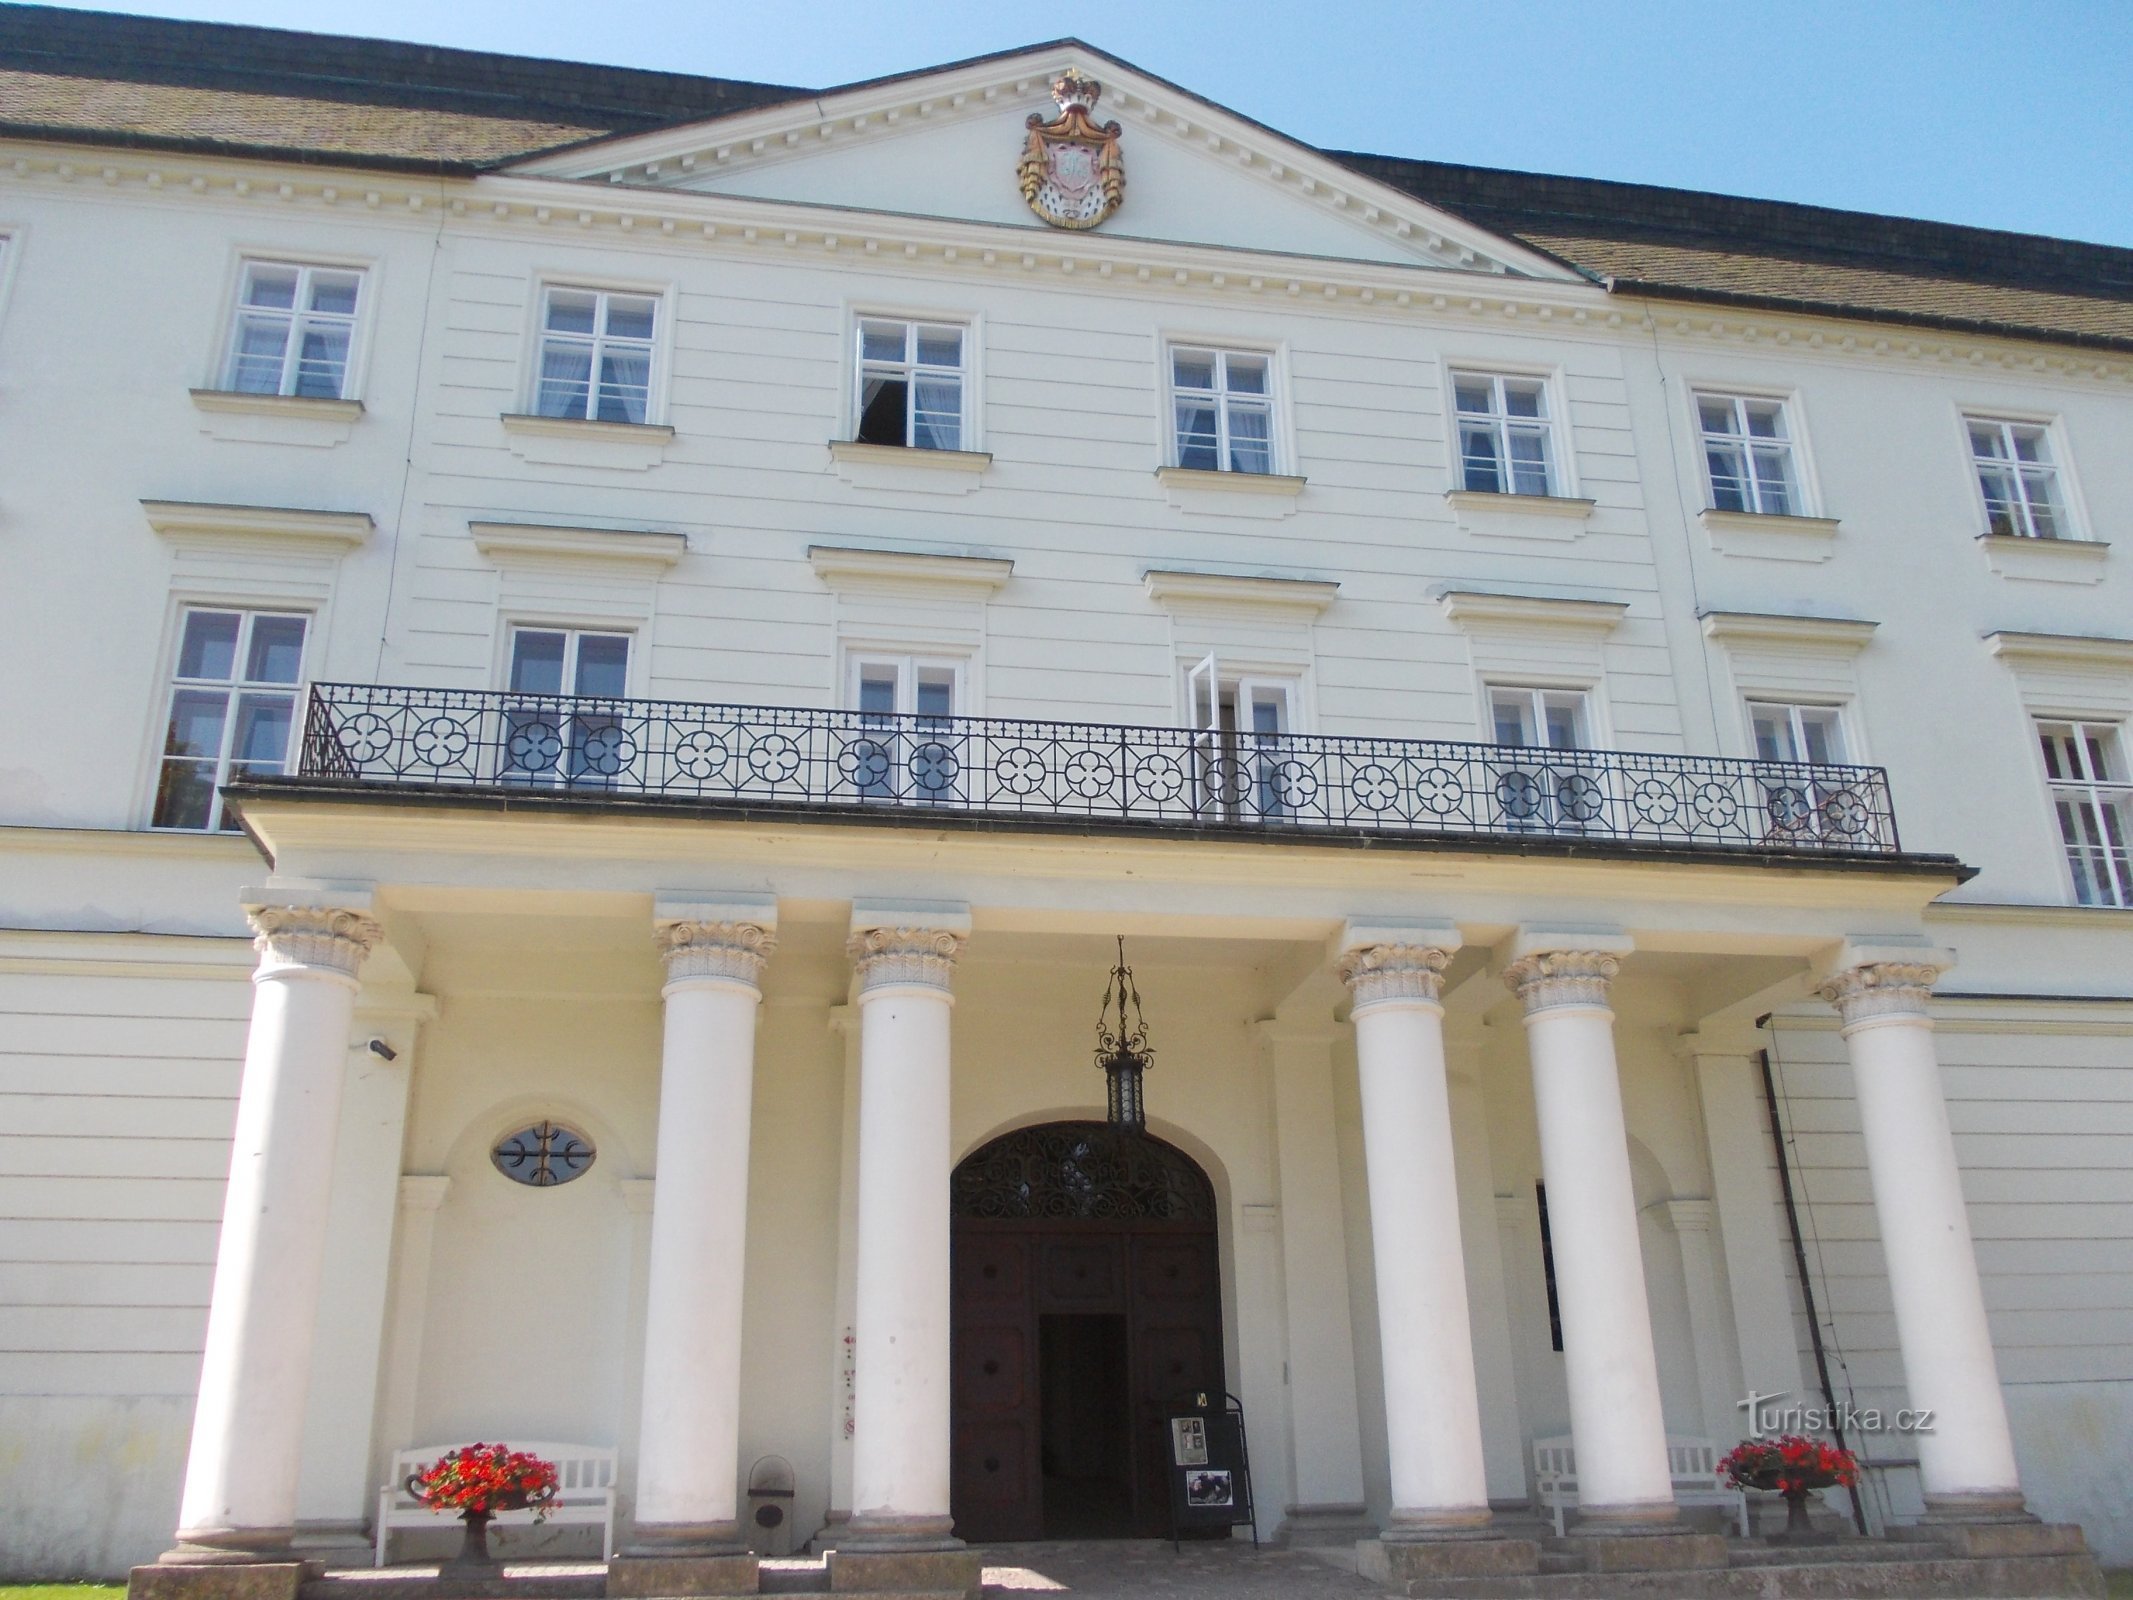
x: 1966, y: 1462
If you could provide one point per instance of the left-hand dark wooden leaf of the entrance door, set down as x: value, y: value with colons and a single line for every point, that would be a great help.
x: 993, y: 1356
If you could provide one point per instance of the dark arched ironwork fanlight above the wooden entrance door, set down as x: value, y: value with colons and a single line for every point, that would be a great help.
x: 1080, y: 1172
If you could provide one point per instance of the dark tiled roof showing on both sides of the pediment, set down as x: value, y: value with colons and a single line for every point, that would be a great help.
x: 106, y: 78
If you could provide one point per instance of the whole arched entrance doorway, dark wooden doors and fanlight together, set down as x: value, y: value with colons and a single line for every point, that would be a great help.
x: 1087, y: 1298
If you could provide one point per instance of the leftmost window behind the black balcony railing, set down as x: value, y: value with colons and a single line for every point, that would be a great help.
x: 581, y: 743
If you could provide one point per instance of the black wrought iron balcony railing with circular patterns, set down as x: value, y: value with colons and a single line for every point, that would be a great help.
x: 982, y: 767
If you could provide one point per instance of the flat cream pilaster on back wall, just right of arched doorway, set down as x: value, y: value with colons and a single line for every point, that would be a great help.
x: 1326, y: 1435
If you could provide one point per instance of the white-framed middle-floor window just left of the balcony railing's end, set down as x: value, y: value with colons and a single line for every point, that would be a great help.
x: 234, y: 709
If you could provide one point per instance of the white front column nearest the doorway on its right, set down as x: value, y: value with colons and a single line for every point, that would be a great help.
x: 1432, y: 1407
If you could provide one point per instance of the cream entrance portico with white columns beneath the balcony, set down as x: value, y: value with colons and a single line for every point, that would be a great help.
x: 684, y: 991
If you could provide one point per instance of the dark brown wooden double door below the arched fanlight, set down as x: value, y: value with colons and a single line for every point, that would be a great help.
x: 1072, y: 1341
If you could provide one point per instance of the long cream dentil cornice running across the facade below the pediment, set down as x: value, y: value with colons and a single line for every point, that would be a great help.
x: 679, y: 221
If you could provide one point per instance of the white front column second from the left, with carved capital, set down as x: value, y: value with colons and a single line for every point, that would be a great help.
x: 690, y: 1430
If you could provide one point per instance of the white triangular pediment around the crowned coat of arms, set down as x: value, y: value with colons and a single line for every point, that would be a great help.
x: 946, y: 144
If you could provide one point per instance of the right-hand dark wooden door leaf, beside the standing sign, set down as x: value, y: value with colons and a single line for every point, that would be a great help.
x: 1176, y: 1319
